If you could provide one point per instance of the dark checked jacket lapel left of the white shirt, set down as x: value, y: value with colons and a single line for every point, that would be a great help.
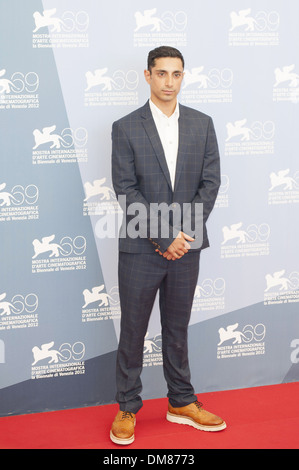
x: 151, y: 130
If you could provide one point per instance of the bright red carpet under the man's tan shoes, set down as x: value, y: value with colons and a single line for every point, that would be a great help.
x: 257, y: 418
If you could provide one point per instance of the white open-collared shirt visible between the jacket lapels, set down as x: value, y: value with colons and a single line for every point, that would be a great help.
x: 168, y: 130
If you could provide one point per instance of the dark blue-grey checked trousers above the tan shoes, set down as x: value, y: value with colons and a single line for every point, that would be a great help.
x: 141, y: 275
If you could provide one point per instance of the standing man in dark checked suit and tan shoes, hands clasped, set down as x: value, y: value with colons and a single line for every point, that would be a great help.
x: 163, y: 154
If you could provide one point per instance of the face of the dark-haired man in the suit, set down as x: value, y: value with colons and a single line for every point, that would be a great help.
x: 165, y: 79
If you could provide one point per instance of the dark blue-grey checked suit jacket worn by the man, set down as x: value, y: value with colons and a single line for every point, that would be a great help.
x: 140, y: 172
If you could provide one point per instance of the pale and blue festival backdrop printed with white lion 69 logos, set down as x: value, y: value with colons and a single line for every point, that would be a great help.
x: 68, y: 69
